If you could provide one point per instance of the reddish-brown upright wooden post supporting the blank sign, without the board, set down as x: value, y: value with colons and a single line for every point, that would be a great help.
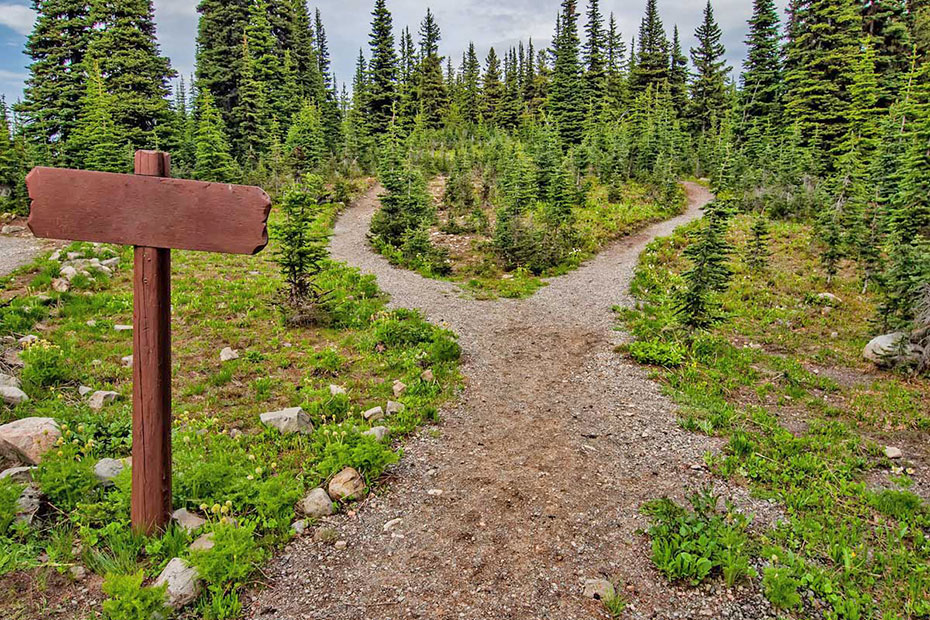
x: 151, y: 373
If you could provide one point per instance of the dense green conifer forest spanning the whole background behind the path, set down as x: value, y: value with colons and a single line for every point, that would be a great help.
x: 829, y: 121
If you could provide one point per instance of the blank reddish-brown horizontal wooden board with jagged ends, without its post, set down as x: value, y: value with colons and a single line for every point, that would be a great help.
x: 147, y: 210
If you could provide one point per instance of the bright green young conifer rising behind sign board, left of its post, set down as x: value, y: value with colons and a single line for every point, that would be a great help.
x: 98, y: 142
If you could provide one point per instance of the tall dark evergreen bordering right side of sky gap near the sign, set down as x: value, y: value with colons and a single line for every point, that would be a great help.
x: 219, y: 51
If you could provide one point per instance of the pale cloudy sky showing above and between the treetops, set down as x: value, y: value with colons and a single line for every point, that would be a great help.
x: 498, y: 23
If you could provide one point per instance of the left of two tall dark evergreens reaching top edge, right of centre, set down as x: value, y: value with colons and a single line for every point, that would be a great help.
x: 566, y: 96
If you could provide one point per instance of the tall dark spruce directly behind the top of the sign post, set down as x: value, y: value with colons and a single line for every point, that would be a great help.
x: 134, y: 71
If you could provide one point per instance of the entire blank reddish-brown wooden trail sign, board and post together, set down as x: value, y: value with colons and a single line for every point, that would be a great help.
x: 155, y: 214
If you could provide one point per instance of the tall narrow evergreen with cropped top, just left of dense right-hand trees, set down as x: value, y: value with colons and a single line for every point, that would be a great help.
x: 760, y: 96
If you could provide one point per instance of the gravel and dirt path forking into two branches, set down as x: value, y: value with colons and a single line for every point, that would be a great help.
x: 542, y: 466
